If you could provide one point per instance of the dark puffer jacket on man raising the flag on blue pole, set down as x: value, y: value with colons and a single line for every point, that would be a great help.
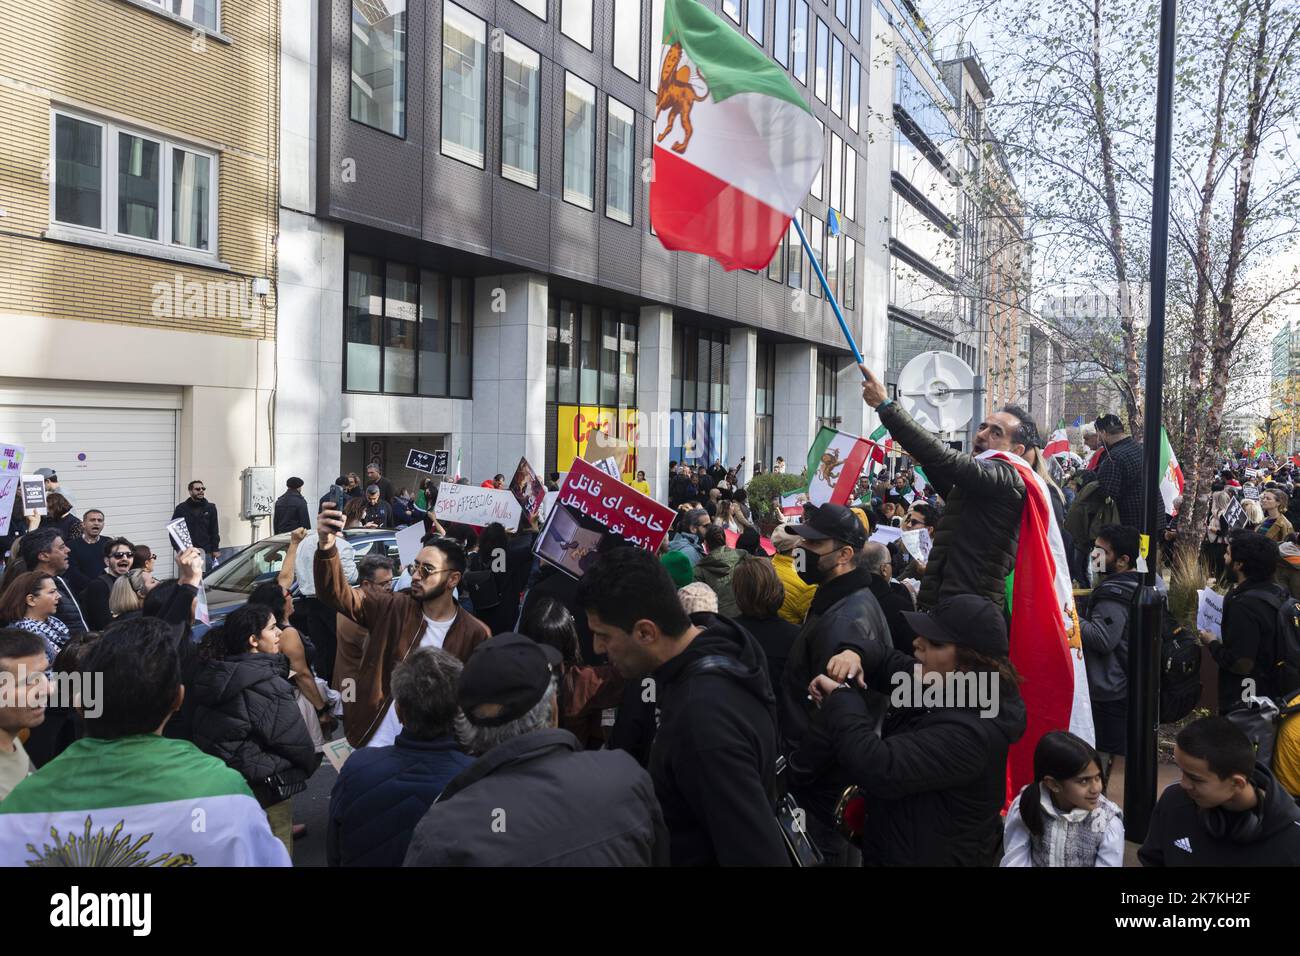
x: 976, y: 540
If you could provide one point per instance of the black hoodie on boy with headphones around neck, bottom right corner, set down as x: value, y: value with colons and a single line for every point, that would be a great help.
x: 1178, y: 836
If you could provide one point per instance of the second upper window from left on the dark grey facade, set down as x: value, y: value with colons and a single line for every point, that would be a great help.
x: 465, y: 40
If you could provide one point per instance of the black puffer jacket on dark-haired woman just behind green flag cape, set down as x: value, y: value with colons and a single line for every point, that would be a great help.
x: 246, y: 715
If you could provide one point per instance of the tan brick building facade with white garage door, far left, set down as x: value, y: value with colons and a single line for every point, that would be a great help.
x: 138, y: 172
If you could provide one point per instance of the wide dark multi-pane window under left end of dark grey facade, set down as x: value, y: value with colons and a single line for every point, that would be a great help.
x: 406, y: 331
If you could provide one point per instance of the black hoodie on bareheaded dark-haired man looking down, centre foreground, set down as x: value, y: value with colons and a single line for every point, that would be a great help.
x: 714, y: 756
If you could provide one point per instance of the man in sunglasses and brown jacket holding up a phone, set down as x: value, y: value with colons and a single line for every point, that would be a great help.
x: 423, y: 616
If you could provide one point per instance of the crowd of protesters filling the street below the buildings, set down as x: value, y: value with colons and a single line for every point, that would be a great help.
x: 731, y: 699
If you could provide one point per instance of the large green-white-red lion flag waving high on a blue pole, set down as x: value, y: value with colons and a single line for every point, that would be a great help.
x: 736, y: 146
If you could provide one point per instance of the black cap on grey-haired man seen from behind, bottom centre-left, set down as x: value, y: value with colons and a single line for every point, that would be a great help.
x: 509, y: 671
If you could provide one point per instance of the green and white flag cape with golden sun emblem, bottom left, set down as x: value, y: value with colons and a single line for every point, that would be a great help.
x: 142, y: 801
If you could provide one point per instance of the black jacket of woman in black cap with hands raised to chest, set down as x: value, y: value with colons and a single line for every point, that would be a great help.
x: 937, y: 784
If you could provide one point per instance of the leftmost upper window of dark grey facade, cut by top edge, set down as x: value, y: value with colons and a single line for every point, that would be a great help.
x: 379, y: 64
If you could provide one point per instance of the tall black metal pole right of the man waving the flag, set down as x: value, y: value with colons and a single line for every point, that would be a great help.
x: 1145, y: 639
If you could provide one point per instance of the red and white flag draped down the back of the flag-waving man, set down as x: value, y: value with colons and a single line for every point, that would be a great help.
x: 1047, y: 650
